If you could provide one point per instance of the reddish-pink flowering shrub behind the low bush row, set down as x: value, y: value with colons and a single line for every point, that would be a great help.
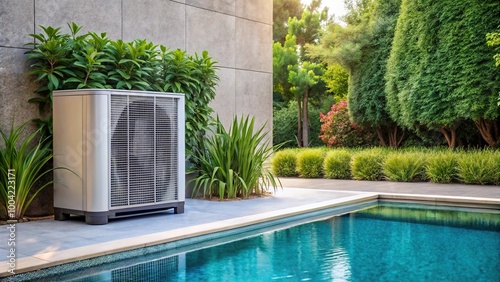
x: 338, y: 131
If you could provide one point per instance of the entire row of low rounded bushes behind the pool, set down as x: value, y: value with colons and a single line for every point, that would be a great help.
x: 405, y: 165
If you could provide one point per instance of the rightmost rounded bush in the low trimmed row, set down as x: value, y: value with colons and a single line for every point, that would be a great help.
x: 478, y: 168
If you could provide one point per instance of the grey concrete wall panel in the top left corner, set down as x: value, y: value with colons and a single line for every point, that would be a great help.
x: 16, y: 22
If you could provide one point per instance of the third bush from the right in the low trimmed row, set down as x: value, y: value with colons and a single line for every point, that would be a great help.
x: 404, y: 167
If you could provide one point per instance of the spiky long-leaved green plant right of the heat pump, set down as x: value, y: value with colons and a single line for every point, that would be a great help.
x: 232, y: 164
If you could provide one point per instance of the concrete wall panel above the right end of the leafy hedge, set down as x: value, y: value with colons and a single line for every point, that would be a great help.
x: 211, y: 31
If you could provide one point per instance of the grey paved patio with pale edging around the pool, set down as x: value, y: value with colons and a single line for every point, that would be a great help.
x: 46, y: 243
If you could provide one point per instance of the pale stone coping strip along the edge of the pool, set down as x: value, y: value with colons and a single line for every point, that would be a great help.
x: 55, y: 258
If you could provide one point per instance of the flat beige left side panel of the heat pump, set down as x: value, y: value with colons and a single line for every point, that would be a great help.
x: 68, y: 152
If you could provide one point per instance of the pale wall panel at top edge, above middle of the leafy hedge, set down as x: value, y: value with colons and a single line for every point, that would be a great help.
x: 168, y: 18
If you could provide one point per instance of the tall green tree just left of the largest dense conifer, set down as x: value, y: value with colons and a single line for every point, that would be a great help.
x: 363, y: 47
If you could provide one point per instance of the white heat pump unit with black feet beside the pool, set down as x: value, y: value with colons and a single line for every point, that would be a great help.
x: 122, y: 153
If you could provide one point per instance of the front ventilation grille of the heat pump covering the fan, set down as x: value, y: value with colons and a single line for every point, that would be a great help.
x: 144, y: 156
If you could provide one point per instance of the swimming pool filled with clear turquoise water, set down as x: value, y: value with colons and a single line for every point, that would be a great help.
x: 379, y: 242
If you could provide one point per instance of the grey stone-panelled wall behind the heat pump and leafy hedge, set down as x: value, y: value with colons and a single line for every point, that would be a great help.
x: 236, y: 33
